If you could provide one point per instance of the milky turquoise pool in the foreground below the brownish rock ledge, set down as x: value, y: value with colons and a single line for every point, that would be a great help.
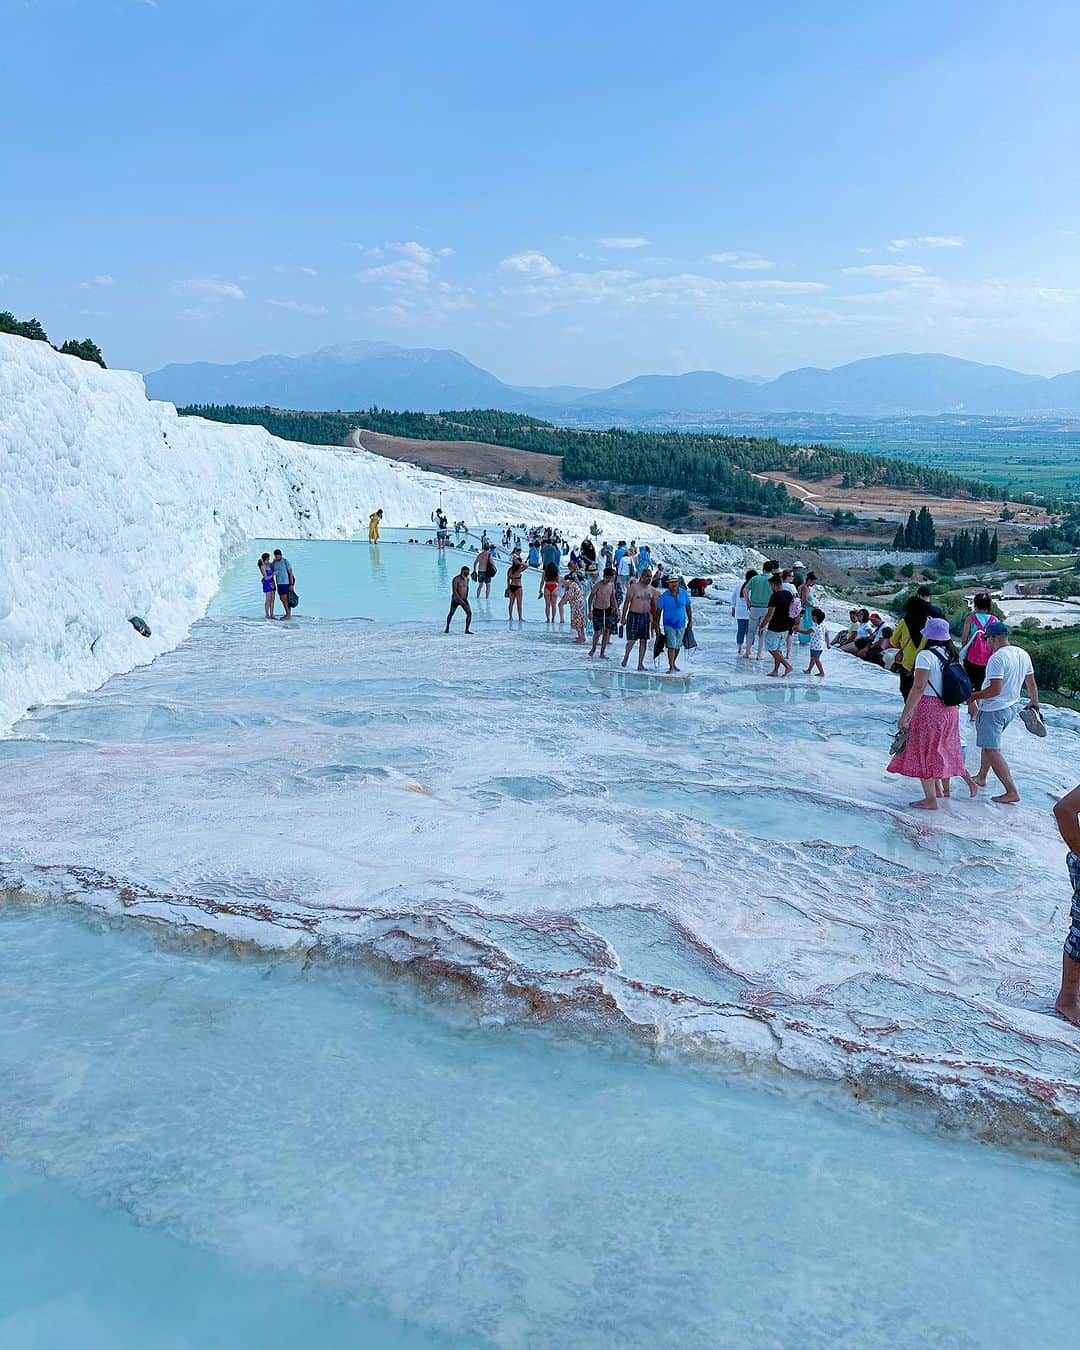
x: 349, y: 1145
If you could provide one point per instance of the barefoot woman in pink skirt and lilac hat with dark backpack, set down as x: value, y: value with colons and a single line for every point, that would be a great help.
x: 935, y: 750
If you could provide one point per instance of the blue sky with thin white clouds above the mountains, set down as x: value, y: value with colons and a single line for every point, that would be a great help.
x: 564, y: 192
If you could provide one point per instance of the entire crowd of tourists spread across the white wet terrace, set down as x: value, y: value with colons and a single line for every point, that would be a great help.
x: 622, y: 592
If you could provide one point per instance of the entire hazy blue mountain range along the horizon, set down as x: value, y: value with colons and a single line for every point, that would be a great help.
x: 362, y: 375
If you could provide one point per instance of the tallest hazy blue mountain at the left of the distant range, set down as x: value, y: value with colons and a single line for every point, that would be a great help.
x: 346, y: 377
